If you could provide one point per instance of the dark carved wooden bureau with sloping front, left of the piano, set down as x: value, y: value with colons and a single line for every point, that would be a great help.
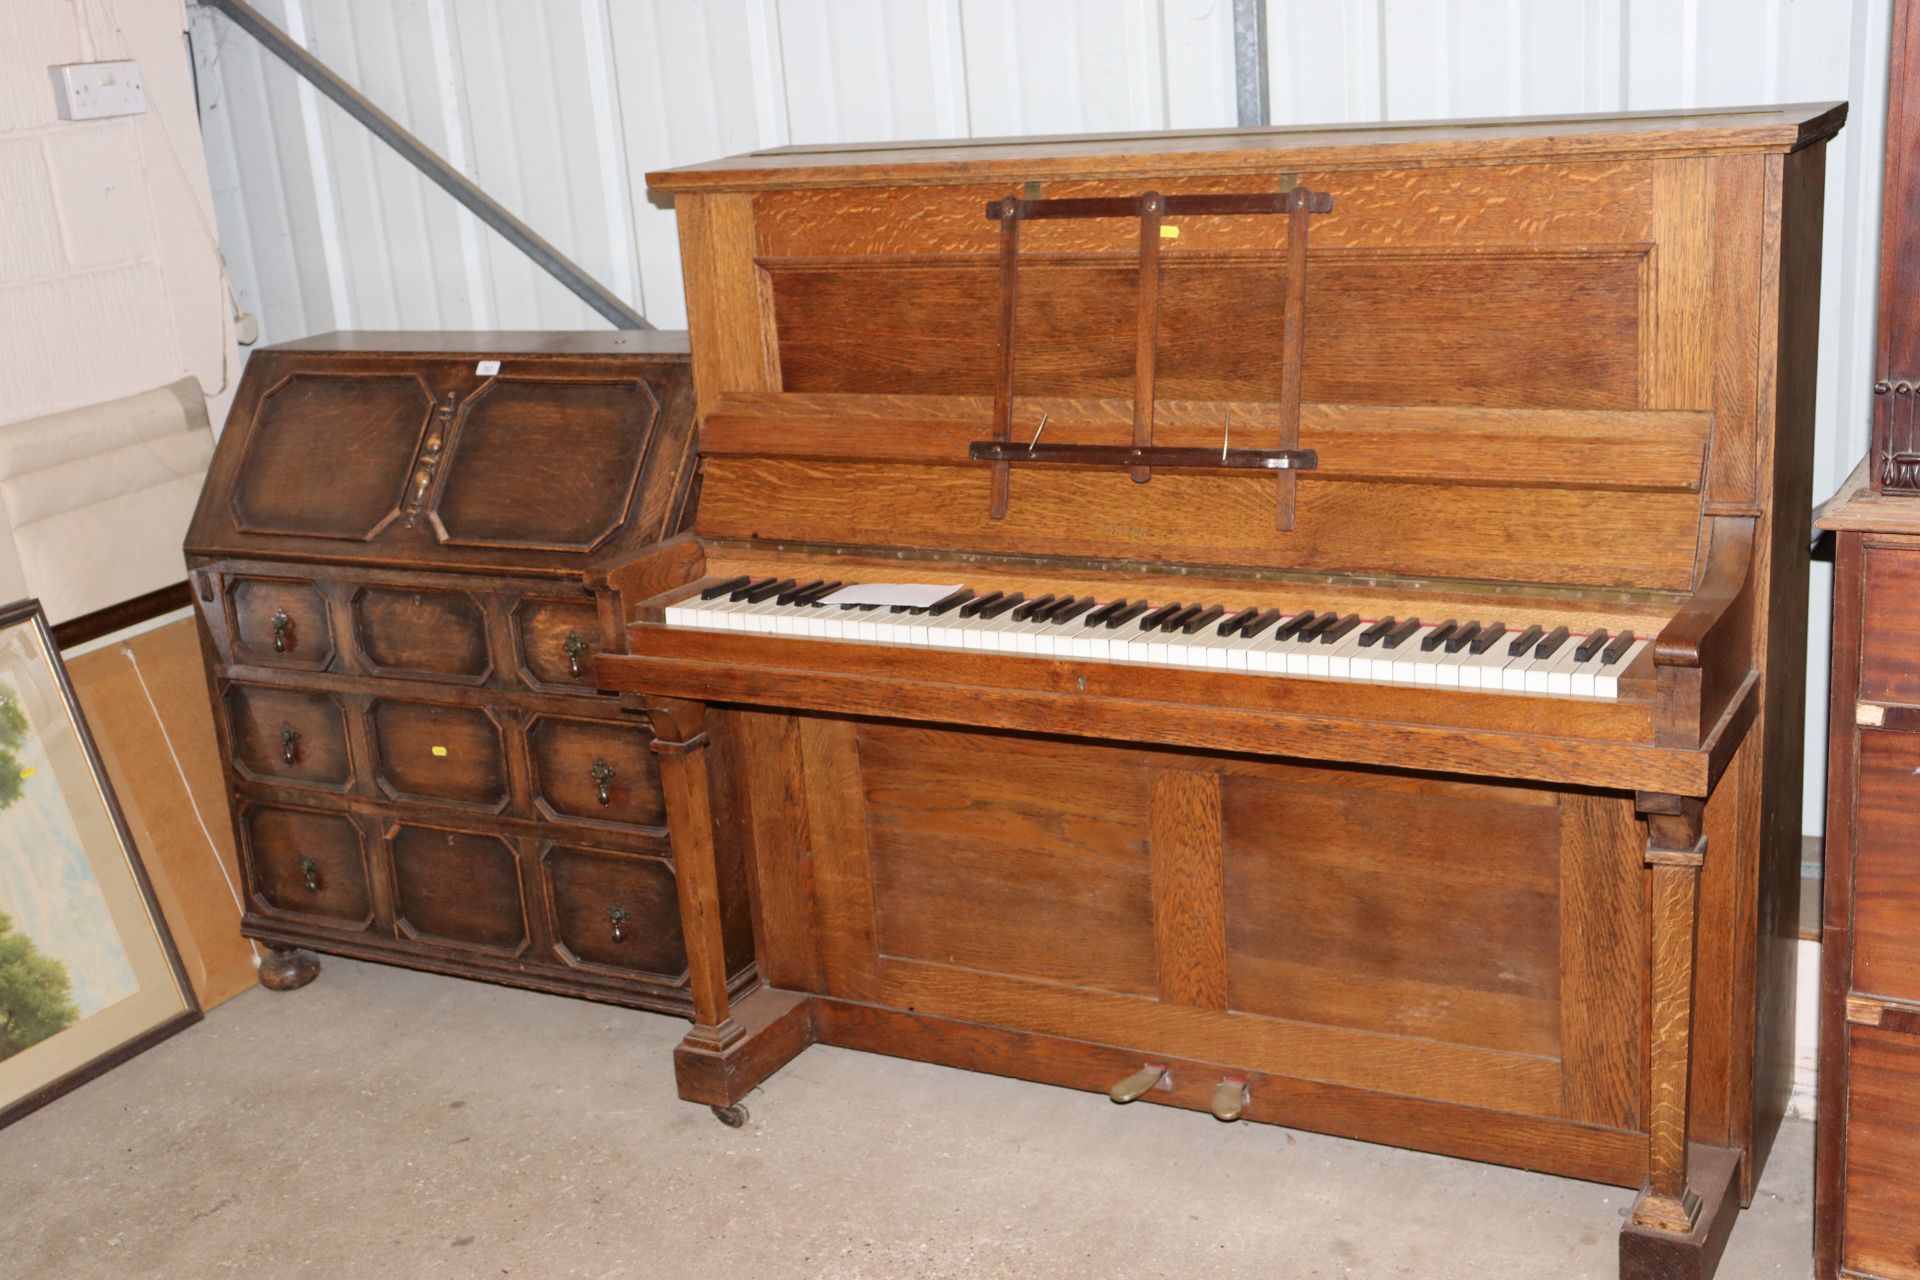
x: 393, y: 565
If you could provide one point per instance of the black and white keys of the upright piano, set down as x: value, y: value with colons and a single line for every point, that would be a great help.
x: 1401, y: 652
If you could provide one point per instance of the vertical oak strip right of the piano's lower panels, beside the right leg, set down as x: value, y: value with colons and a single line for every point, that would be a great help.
x: 1602, y: 941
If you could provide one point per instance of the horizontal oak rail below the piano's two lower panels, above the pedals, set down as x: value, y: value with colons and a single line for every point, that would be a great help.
x: 1310, y: 1053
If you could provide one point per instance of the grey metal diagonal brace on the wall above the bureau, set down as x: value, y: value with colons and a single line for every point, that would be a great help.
x: 429, y: 162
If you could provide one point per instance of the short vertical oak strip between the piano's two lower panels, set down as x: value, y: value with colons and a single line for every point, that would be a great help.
x: 1189, y: 888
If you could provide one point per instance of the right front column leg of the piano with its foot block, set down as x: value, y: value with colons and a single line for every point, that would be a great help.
x: 1685, y: 1212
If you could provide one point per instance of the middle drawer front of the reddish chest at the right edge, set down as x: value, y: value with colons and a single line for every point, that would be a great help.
x: 1886, y: 866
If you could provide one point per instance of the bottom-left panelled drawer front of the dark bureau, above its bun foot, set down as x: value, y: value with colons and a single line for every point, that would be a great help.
x: 308, y: 865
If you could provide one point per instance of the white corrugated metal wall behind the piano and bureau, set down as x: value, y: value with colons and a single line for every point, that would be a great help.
x: 562, y: 107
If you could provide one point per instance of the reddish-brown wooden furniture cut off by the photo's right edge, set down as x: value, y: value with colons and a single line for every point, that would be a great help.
x: 1867, y: 1162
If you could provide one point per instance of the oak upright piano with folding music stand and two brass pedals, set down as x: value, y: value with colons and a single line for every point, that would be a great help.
x: 1297, y: 625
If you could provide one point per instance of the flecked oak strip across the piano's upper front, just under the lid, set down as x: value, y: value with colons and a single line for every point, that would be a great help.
x: 1477, y: 206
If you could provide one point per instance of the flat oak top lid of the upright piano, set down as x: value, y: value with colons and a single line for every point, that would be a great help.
x: 1239, y: 151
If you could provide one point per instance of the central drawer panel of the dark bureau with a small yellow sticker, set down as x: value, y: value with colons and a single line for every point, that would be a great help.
x: 433, y: 751
